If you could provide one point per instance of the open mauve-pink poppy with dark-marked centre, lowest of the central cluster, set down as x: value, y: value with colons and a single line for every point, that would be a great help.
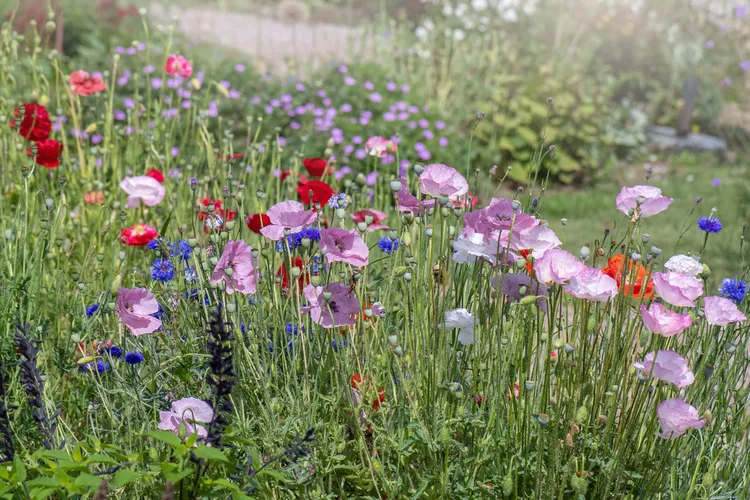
x: 335, y: 311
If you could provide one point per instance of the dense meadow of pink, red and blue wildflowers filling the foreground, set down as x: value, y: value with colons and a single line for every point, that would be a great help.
x: 311, y: 292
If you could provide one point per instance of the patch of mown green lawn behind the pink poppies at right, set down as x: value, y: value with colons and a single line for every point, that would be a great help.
x: 590, y: 210
